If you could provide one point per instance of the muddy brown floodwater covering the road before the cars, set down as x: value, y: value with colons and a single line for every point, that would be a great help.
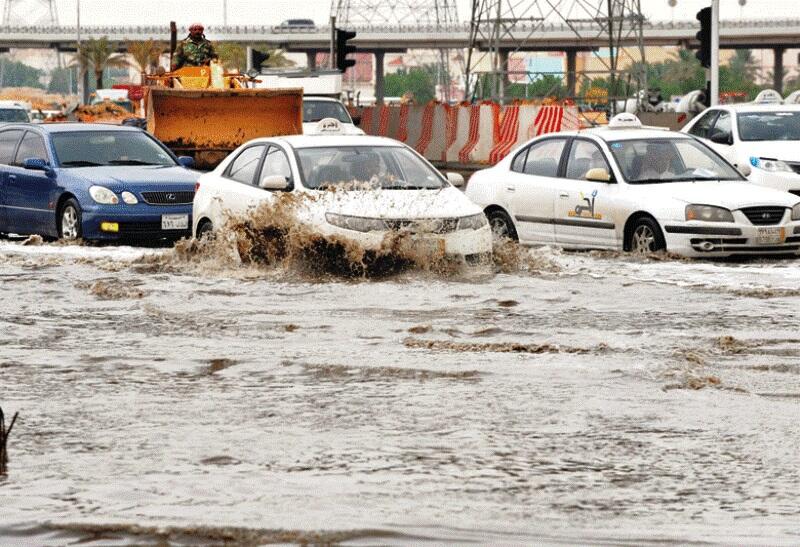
x: 579, y: 398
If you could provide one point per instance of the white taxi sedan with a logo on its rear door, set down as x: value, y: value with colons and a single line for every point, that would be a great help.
x: 637, y: 189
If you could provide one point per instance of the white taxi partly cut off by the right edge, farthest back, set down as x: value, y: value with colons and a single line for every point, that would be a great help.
x: 764, y: 136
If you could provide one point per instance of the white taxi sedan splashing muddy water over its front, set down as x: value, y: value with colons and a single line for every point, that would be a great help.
x: 359, y: 188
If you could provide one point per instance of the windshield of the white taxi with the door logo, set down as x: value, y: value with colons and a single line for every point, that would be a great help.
x: 669, y: 160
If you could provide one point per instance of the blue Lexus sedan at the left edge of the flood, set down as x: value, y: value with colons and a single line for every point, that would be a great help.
x: 92, y: 181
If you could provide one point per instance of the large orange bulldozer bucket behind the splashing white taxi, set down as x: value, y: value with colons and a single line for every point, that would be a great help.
x: 210, y: 123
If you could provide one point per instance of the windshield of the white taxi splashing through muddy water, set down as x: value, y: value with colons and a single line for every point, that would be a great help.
x: 359, y: 167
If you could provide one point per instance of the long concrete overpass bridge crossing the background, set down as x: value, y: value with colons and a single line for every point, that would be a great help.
x: 777, y: 35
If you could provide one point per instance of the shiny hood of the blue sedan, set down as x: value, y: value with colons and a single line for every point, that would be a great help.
x: 137, y: 177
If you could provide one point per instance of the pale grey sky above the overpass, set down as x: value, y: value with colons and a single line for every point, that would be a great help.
x: 270, y: 12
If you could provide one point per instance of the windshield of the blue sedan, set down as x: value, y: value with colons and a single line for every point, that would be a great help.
x: 96, y: 148
